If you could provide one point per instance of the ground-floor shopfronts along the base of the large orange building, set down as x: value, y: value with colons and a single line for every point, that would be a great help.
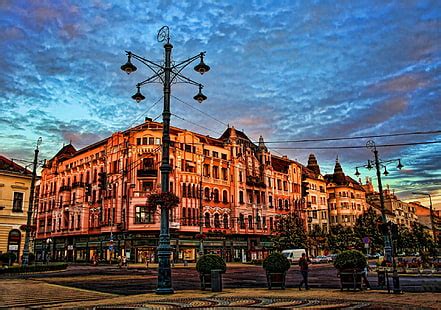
x: 140, y: 247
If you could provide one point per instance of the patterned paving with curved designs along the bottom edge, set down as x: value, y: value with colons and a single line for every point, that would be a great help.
x: 320, y: 298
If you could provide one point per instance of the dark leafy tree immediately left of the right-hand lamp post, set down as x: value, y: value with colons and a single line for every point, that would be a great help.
x: 366, y: 225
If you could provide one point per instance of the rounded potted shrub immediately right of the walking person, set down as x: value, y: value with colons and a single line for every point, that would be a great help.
x: 350, y: 265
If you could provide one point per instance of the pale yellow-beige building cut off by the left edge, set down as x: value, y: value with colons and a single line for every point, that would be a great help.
x: 15, y: 184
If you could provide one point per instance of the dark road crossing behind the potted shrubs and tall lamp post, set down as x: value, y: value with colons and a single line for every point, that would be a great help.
x: 139, y: 280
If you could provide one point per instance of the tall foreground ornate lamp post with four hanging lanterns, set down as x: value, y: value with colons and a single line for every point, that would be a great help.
x: 167, y: 74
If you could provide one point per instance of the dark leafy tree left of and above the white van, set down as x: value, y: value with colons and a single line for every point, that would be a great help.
x: 289, y: 232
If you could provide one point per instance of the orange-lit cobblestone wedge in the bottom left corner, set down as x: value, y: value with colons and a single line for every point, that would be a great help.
x: 16, y: 293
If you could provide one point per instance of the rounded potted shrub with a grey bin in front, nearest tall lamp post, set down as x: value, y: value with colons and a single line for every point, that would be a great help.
x: 207, y: 264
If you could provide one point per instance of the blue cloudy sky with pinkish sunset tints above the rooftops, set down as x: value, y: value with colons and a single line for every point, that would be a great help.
x: 286, y: 70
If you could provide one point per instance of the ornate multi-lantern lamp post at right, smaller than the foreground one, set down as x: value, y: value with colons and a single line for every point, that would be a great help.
x: 380, y: 164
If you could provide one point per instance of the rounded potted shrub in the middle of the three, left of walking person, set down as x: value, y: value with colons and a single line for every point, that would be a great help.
x: 276, y: 265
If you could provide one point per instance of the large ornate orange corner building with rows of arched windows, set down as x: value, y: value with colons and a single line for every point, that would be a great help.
x: 231, y: 190
